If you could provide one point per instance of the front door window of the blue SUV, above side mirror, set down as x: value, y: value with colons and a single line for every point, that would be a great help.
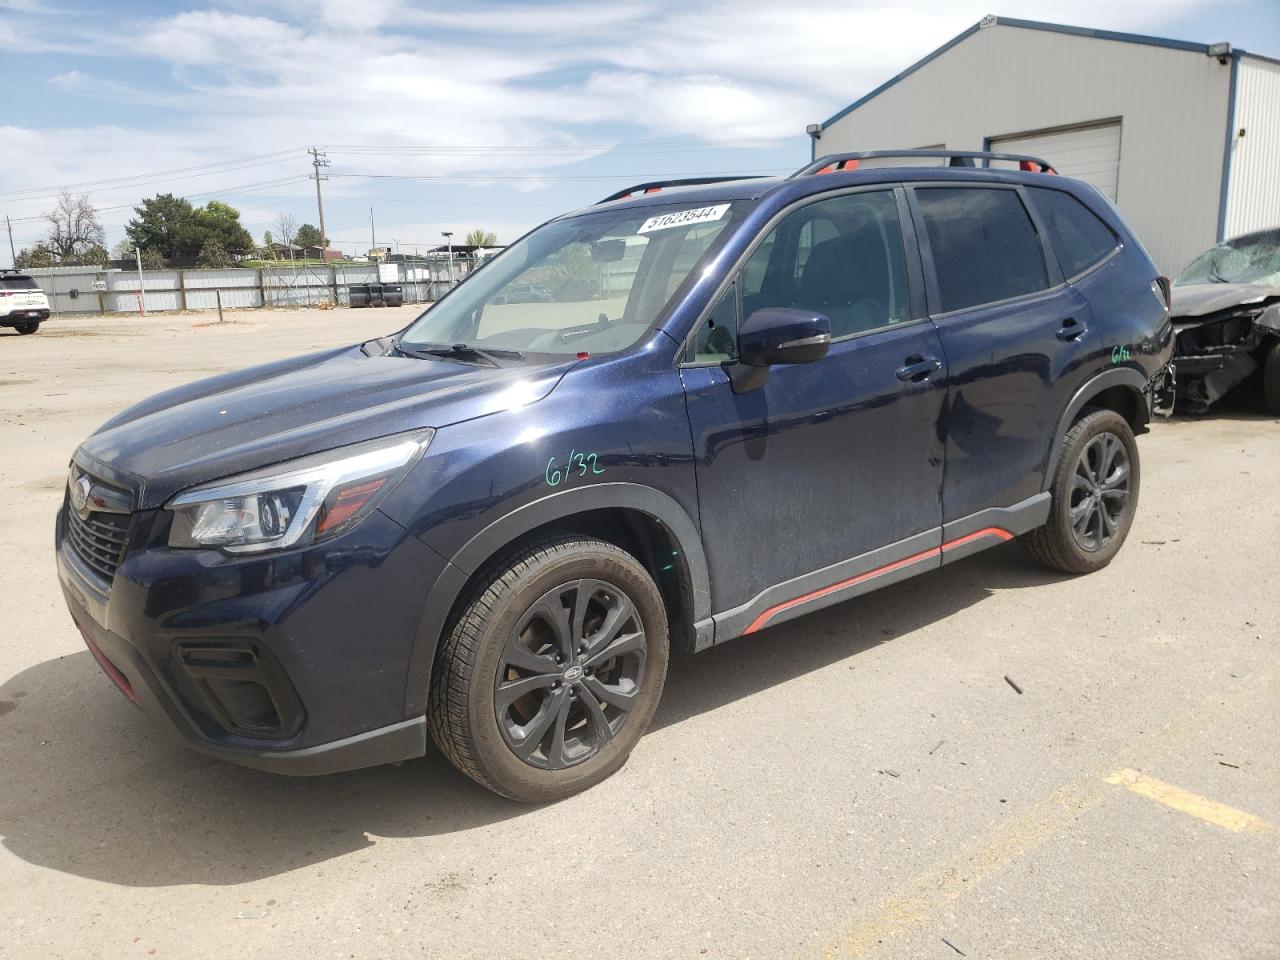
x: 842, y: 257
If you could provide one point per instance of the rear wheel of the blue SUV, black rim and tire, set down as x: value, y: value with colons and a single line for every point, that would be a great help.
x: 1090, y: 491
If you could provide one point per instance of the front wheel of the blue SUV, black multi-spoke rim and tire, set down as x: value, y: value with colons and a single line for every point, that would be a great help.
x: 502, y: 641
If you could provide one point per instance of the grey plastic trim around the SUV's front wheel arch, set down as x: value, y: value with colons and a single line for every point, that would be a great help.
x: 510, y: 528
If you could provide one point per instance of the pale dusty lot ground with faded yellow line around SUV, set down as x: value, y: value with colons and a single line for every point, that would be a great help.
x: 858, y: 783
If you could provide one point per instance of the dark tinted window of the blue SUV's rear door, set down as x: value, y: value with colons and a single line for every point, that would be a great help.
x: 985, y: 245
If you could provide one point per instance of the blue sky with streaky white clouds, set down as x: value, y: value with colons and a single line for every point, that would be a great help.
x: 456, y: 116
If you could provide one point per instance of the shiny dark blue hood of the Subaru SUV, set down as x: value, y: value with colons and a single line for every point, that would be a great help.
x: 249, y: 419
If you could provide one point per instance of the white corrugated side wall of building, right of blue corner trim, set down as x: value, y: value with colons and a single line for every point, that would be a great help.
x: 1254, y: 193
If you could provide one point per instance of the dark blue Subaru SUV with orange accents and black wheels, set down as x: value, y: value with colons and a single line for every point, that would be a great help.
x: 738, y: 403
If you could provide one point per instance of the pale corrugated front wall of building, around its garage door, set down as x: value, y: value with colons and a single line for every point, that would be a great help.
x: 1007, y: 80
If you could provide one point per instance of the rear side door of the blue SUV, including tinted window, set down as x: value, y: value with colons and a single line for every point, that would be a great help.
x: 1012, y: 333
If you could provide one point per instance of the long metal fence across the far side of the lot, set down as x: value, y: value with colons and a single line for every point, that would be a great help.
x: 85, y: 290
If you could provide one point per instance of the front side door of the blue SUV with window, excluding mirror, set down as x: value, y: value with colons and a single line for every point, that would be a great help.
x: 831, y: 470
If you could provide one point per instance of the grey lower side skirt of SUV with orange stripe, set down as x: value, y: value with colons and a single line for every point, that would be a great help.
x: 876, y: 569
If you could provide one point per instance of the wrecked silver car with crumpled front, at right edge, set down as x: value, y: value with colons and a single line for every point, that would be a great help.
x: 1227, y: 321
